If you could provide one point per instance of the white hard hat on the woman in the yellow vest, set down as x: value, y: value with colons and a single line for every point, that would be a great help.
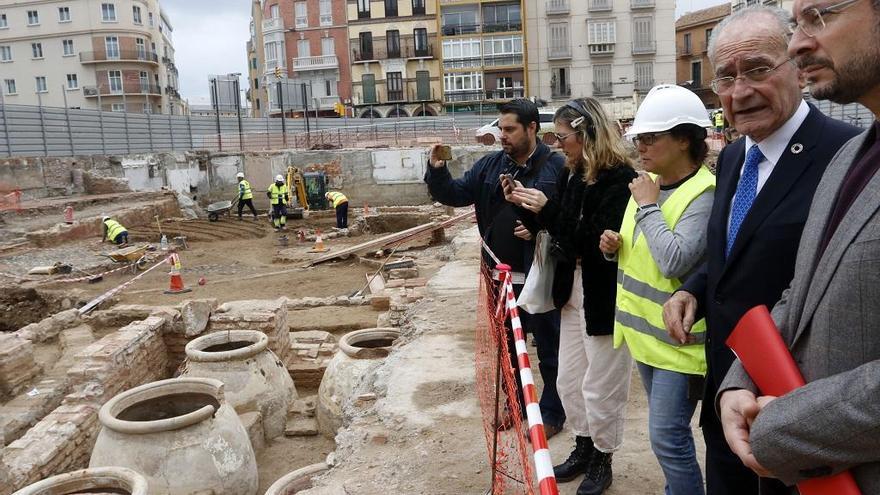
x: 667, y: 106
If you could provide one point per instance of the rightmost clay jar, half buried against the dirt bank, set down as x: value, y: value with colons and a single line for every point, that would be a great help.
x: 359, y: 351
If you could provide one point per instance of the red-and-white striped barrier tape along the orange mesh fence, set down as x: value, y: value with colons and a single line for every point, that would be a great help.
x: 543, y: 464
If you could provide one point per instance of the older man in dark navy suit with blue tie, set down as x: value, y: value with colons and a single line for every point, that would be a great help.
x: 765, y: 183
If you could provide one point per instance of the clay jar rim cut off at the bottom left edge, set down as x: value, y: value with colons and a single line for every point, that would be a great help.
x: 96, y: 480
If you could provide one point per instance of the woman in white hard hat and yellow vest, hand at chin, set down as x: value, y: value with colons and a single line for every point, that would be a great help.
x: 661, y: 242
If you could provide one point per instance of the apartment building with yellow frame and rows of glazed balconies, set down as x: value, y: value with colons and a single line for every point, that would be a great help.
x: 484, y: 56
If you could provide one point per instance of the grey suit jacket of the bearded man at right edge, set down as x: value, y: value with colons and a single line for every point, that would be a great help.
x: 830, y: 319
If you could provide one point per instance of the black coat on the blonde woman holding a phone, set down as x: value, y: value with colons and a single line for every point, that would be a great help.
x: 576, y: 221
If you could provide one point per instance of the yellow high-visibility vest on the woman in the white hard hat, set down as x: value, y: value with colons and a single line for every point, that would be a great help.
x: 642, y: 289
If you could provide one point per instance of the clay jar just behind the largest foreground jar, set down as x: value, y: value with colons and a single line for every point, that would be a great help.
x: 254, y: 377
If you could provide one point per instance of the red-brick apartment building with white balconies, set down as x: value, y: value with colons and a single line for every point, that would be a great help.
x: 305, y: 54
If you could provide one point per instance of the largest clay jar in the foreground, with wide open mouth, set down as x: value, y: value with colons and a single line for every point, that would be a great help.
x: 181, y: 435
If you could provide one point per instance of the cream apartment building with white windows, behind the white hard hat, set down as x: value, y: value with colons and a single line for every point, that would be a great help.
x: 612, y: 50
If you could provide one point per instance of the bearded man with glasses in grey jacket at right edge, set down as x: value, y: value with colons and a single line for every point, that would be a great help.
x: 829, y: 316
